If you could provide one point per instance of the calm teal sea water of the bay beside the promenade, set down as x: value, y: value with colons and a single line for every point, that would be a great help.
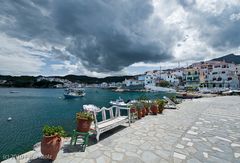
x: 31, y: 109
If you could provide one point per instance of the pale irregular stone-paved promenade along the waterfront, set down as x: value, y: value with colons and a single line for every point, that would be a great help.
x: 201, y: 130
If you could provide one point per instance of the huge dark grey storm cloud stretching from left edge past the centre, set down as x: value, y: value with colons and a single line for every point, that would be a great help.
x: 106, y: 35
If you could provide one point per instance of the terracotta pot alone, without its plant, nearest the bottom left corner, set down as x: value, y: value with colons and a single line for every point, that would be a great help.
x: 50, y: 146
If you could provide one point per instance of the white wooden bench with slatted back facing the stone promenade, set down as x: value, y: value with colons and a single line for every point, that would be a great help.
x: 108, y: 123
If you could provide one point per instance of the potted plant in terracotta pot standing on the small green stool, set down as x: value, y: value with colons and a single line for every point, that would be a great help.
x: 84, y: 121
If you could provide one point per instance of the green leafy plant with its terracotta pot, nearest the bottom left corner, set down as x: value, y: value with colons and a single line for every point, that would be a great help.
x: 51, y: 141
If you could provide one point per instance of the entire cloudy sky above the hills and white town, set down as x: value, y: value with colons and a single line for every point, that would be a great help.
x: 113, y: 37
